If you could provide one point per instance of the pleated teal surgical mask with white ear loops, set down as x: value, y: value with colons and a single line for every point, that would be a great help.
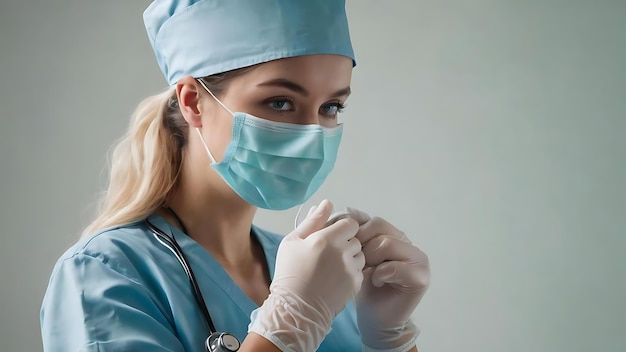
x: 275, y: 165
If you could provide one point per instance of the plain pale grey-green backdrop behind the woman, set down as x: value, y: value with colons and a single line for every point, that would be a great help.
x: 491, y: 132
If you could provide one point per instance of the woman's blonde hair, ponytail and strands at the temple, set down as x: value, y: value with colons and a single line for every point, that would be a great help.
x: 145, y: 163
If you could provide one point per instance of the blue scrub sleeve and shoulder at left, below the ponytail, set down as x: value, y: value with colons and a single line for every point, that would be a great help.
x: 105, y: 292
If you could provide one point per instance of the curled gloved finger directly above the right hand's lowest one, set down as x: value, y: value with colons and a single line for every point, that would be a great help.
x: 386, y: 247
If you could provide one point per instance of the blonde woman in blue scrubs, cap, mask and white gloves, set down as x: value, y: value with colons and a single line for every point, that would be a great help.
x: 249, y: 120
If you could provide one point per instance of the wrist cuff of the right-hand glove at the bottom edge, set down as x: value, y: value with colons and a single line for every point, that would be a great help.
x: 392, y: 340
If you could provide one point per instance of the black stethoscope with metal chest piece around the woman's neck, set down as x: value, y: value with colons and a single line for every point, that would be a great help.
x: 217, y: 341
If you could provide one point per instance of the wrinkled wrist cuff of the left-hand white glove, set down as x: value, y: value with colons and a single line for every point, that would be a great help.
x: 290, y: 323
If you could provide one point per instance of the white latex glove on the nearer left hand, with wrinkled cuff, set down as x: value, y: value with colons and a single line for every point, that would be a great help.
x: 318, y: 271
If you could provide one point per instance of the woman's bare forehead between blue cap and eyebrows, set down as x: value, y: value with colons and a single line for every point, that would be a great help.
x: 314, y: 72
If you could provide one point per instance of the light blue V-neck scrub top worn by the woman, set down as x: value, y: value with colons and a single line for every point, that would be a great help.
x: 122, y: 290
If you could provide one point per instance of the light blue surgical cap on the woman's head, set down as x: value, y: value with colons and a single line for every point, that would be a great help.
x: 203, y: 37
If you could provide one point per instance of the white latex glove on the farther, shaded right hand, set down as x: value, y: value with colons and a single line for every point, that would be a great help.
x: 396, y: 276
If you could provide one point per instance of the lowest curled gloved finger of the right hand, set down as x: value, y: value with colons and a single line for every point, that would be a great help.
x: 408, y: 278
